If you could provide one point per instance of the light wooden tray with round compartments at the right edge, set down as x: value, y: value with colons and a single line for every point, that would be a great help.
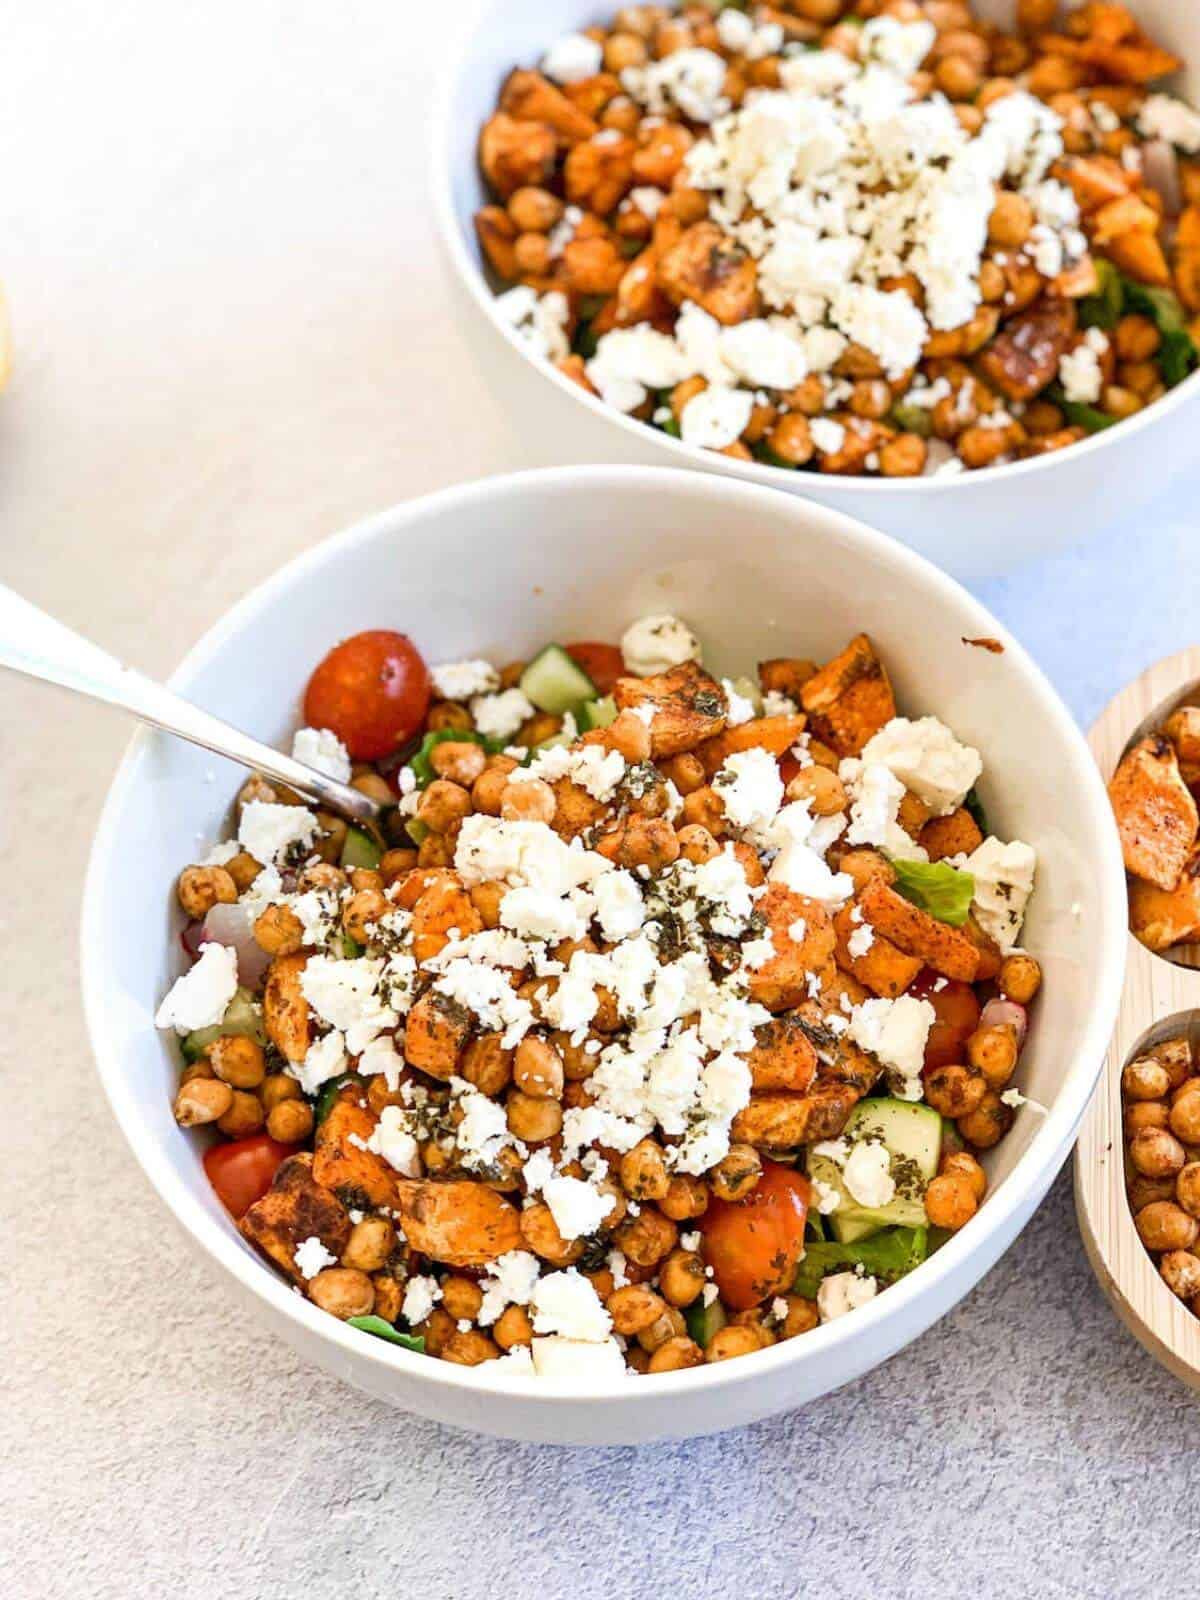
x: 1161, y: 1001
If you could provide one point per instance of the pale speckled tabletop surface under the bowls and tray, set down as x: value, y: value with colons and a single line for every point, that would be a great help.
x: 236, y: 335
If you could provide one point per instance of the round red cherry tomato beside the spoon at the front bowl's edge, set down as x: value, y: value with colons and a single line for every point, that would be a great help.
x: 372, y: 690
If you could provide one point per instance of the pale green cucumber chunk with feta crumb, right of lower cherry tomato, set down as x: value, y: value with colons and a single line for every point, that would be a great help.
x: 913, y: 1135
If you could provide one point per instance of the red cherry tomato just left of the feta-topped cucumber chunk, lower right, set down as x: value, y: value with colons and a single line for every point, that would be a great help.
x: 756, y: 1244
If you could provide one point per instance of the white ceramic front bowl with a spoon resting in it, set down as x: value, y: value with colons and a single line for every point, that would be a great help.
x: 498, y: 569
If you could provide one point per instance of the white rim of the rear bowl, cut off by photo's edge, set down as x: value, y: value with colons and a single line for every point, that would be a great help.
x: 470, y: 271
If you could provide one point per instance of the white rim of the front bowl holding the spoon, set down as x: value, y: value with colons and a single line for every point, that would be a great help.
x: 1047, y: 1150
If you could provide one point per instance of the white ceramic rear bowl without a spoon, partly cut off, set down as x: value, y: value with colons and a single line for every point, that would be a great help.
x: 975, y: 526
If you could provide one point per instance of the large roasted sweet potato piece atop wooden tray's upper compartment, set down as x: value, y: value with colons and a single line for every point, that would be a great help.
x: 1156, y: 814
